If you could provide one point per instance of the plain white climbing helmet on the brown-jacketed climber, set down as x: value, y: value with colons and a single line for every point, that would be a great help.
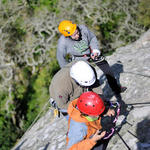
x: 82, y: 73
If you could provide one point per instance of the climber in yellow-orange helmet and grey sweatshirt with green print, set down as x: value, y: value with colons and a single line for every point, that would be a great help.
x: 79, y: 43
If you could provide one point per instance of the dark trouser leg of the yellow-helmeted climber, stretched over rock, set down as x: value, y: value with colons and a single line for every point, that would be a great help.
x: 104, y: 66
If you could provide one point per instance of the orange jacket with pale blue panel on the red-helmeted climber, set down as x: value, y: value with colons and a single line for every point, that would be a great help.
x: 80, y: 129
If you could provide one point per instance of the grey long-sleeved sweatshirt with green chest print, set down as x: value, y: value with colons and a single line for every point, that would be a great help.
x: 68, y: 46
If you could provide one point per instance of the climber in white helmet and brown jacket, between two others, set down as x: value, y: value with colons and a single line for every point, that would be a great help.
x: 70, y: 82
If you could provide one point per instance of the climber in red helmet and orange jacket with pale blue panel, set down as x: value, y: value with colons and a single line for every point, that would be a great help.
x: 84, y: 124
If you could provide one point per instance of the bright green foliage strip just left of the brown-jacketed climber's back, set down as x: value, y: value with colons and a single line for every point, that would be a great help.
x: 39, y: 91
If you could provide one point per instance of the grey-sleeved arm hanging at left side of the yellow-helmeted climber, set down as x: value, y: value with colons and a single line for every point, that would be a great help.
x: 61, y: 52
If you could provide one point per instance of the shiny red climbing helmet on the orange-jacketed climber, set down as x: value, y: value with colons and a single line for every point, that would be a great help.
x: 91, y: 104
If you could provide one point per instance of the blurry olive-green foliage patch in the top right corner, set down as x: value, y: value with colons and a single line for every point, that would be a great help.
x: 143, y: 13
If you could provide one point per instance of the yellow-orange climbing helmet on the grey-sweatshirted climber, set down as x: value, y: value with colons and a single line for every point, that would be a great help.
x: 67, y: 28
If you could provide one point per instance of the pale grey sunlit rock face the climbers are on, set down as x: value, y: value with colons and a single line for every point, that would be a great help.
x: 131, y: 65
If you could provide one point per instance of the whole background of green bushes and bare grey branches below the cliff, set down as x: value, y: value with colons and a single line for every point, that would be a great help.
x: 28, y: 50
